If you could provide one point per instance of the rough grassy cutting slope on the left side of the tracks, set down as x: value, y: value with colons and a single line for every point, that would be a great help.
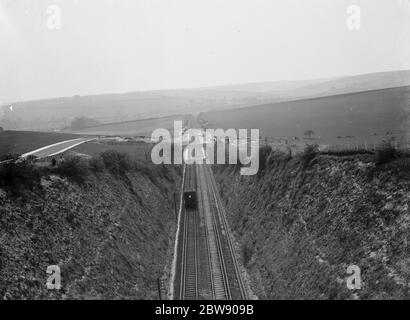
x: 112, y: 236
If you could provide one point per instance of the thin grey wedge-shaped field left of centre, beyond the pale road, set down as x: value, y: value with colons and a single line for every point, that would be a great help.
x: 143, y: 127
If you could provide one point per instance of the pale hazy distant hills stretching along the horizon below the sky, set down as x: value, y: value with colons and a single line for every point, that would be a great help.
x: 50, y: 114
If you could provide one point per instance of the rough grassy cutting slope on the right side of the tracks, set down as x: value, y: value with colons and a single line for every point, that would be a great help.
x: 300, y: 228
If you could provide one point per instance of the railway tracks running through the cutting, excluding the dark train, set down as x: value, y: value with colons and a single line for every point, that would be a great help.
x: 208, y: 268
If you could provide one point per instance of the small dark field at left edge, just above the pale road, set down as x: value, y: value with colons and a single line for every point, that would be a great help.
x: 19, y: 142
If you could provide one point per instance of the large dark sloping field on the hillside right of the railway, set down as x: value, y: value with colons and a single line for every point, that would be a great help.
x: 359, y: 117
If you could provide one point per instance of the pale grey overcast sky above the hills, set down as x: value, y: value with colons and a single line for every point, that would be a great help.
x: 104, y: 46
